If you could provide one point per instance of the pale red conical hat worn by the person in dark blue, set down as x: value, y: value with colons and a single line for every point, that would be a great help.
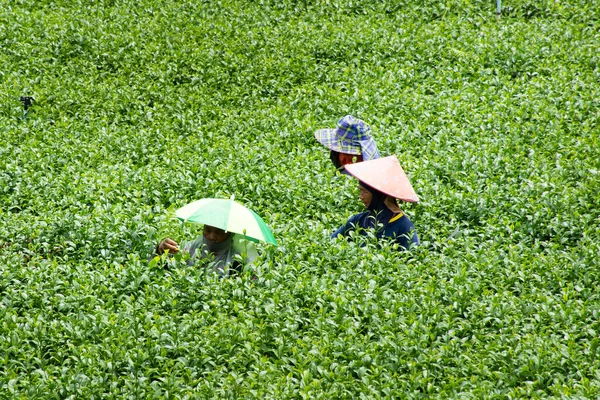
x: 386, y: 175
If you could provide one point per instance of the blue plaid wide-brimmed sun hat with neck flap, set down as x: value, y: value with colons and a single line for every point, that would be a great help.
x: 352, y: 136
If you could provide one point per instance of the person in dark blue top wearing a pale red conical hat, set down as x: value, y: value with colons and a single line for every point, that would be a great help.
x: 381, y: 183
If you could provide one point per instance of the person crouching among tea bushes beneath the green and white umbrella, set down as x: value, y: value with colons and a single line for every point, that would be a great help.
x: 215, y: 244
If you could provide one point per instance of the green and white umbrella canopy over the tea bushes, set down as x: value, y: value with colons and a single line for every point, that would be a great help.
x: 227, y: 215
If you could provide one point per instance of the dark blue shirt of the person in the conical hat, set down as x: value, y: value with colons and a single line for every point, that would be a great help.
x: 397, y: 227
